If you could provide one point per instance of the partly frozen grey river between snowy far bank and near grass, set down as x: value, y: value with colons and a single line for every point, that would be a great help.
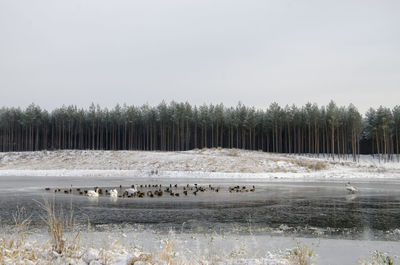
x: 313, y: 211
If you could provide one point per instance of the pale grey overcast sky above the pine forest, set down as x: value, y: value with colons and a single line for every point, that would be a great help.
x: 257, y: 52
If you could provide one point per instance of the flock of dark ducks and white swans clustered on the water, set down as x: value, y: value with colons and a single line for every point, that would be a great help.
x: 150, y: 190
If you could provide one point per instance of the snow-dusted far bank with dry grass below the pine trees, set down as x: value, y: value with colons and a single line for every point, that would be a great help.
x: 206, y: 163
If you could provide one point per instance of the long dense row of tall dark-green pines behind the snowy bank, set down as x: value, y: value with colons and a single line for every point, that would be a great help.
x: 334, y: 130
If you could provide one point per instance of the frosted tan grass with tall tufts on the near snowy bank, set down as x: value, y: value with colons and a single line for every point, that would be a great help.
x: 63, y: 245
